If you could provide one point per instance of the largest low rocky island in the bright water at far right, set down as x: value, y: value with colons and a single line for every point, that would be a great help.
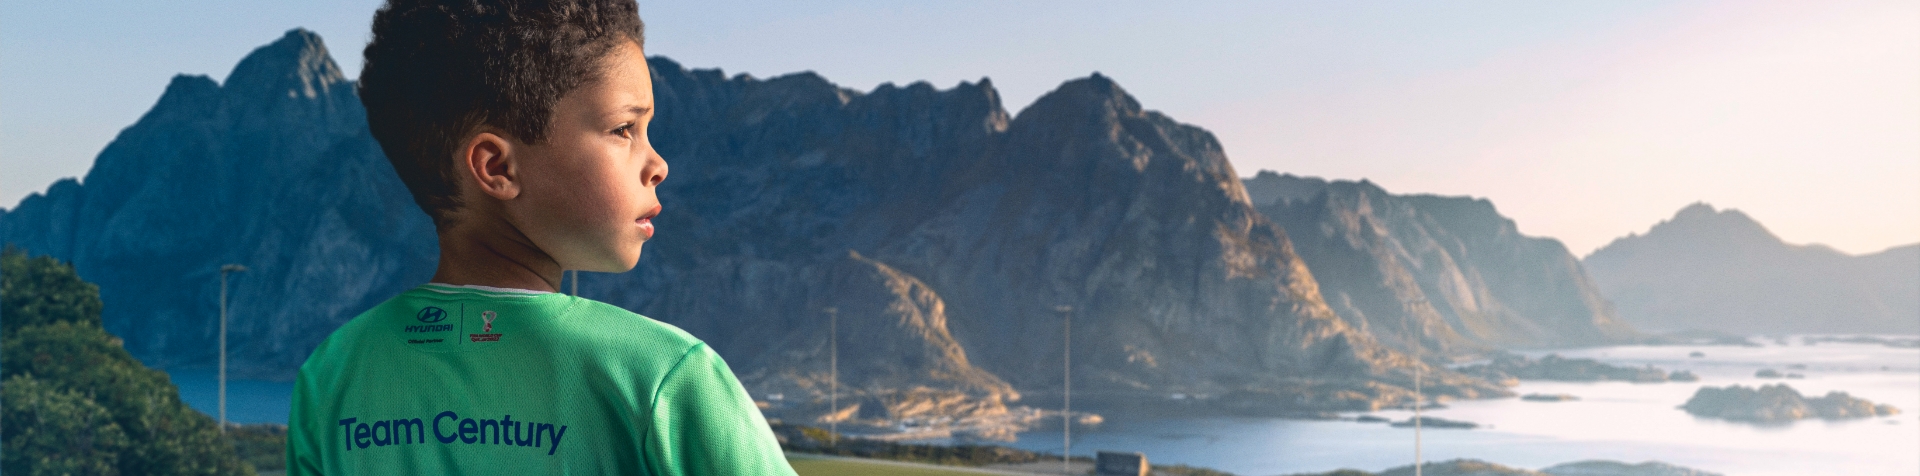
x: 1779, y: 404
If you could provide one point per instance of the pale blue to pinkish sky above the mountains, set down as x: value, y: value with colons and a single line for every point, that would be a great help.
x: 1581, y: 120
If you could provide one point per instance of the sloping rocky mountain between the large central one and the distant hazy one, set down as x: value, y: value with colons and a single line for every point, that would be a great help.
x: 1435, y: 274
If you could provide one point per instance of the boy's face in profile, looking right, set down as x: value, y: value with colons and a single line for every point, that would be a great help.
x: 588, y: 191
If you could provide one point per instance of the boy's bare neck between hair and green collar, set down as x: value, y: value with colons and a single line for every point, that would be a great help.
x: 491, y: 260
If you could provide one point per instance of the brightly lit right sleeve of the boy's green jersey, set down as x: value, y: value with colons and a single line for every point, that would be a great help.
x: 704, y: 423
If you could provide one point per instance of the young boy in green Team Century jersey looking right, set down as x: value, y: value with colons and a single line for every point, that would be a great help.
x: 521, y: 130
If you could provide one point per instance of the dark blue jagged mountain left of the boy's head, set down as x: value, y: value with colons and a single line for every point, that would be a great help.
x: 276, y: 172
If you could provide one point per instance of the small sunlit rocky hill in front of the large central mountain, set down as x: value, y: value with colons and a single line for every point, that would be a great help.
x: 898, y: 358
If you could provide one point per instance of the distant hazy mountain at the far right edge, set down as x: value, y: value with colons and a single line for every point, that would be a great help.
x: 1719, y: 270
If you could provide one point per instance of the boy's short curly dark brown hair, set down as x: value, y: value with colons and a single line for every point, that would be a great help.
x: 439, y: 70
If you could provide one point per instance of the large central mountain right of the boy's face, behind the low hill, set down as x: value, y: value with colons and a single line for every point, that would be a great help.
x: 1084, y: 201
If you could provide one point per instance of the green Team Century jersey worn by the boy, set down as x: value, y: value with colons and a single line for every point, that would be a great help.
x: 485, y: 381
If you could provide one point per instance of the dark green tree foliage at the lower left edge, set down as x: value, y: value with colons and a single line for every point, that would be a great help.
x: 76, y: 383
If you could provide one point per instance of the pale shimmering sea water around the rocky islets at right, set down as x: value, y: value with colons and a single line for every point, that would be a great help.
x: 1612, y: 421
